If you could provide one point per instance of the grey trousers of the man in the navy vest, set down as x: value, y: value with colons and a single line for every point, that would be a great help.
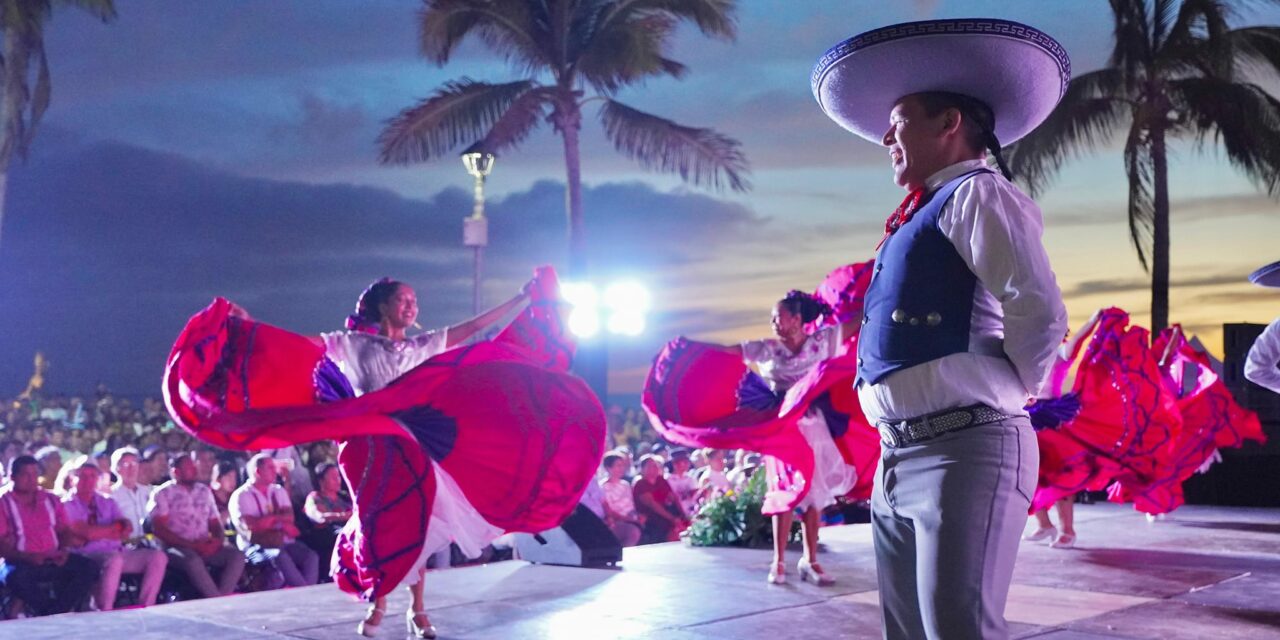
x: 947, y: 519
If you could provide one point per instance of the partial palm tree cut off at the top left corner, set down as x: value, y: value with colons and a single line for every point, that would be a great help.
x: 22, y: 28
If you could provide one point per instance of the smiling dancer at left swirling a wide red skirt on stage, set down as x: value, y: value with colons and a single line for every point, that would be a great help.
x: 435, y: 446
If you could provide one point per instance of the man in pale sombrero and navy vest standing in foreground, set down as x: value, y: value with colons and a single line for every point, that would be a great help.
x: 963, y: 313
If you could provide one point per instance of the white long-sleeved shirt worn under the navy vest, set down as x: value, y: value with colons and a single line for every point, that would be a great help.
x: 998, y: 232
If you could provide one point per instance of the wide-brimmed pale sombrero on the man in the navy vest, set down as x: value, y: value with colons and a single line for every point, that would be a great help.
x: 1018, y: 71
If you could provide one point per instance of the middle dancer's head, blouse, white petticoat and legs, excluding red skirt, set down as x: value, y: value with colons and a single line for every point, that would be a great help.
x: 783, y: 362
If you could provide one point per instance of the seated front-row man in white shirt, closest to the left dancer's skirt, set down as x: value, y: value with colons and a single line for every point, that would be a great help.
x: 266, y: 528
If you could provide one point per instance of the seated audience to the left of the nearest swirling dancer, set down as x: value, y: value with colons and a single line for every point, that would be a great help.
x: 106, y: 504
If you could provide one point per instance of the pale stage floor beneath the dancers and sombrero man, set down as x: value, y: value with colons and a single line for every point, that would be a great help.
x: 1203, y: 574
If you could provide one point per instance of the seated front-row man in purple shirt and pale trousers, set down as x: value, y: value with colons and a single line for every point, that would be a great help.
x: 97, y: 531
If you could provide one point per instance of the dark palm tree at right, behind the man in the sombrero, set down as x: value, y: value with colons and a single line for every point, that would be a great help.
x: 1177, y: 70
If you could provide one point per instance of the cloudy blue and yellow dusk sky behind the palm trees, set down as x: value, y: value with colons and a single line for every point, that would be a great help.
x: 228, y: 149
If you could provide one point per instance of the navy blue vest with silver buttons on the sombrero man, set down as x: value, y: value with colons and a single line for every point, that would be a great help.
x: 921, y: 299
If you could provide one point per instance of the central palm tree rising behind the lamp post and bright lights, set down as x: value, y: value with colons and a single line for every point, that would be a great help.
x: 565, y: 49
